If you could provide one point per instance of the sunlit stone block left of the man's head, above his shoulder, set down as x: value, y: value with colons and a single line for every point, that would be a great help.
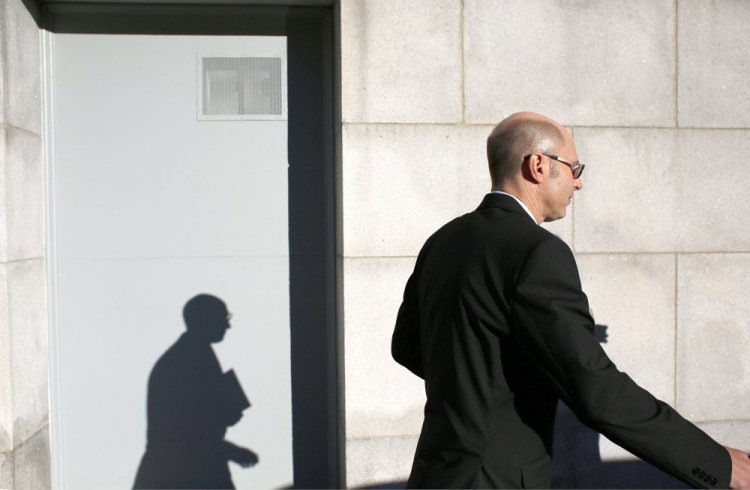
x: 402, y: 182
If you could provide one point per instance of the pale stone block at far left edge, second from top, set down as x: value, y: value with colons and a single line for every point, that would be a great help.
x: 22, y: 175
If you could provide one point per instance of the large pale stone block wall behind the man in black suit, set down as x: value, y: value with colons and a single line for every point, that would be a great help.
x: 656, y: 94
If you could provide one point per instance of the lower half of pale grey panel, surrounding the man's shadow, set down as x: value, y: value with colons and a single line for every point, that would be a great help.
x: 122, y: 315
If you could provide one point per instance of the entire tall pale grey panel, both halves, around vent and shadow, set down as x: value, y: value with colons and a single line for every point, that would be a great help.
x: 150, y: 207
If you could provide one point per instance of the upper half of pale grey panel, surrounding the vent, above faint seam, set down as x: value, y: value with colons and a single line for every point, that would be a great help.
x: 138, y: 175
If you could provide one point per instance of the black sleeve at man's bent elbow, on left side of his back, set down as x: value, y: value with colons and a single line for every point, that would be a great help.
x: 405, y: 344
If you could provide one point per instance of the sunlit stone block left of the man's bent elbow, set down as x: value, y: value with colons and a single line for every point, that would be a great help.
x: 382, y: 397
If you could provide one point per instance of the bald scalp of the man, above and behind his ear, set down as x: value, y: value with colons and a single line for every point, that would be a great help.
x: 515, y: 137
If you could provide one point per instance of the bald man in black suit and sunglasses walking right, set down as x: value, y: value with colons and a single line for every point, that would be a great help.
x: 495, y: 322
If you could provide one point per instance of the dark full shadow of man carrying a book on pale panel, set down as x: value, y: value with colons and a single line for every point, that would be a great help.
x: 191, y: 403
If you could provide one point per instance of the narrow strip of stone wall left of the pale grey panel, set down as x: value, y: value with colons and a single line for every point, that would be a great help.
x: 24, y: 406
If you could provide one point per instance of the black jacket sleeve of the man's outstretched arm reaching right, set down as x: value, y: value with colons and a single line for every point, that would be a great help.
x: 552, y: 323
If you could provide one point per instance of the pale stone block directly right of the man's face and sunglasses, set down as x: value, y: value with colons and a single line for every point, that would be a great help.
x: 651, y: 190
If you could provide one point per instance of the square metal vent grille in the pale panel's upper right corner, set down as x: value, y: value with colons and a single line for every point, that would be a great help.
x: 242, y: 87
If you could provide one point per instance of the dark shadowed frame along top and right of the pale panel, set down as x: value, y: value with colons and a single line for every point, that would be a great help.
x: 316, y: 342
